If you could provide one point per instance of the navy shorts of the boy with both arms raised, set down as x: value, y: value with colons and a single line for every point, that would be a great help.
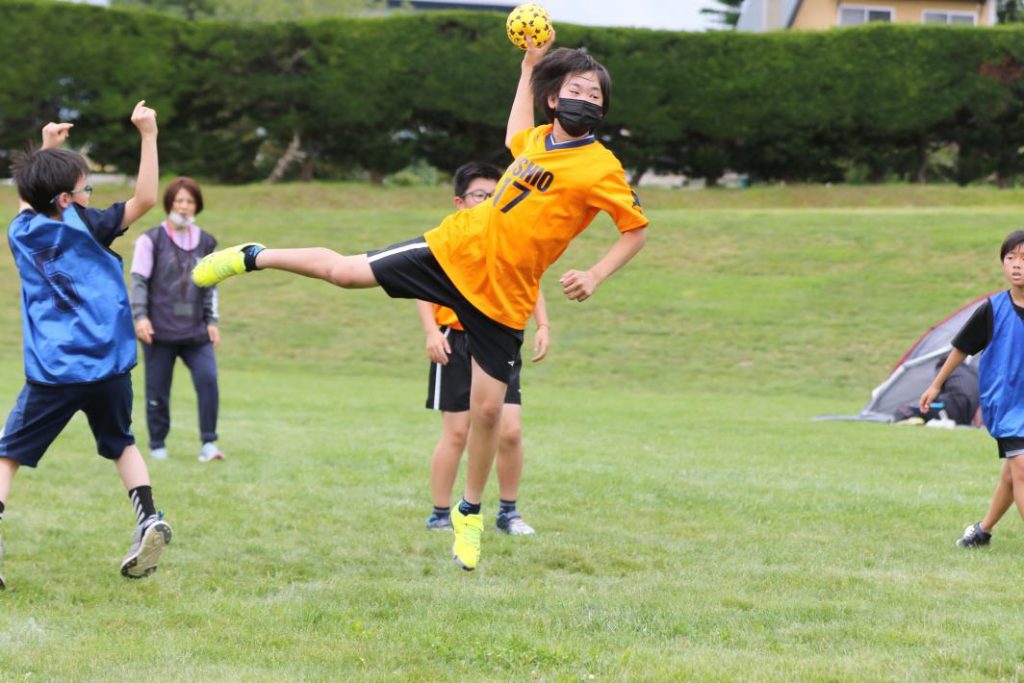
x: 44, y: 411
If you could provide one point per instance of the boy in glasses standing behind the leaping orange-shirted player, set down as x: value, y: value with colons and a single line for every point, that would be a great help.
x: 449, y: 387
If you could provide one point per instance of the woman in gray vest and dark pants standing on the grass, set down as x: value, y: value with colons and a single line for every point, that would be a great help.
x: 176, y: 319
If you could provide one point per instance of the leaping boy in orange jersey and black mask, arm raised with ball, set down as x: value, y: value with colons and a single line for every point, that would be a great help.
x: 486, y: 264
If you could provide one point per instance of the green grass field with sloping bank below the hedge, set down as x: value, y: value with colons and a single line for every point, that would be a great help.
x: 694, y: 523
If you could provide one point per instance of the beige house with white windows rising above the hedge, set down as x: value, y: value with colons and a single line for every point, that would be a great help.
x: 759, y: 16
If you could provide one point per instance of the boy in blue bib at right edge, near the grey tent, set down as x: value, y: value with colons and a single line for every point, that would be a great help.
x: 998, y: 329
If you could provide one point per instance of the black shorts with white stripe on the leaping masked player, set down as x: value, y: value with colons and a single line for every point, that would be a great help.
x: 409, y: 271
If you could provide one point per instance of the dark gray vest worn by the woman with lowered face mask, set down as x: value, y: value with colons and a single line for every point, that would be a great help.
x: 176, y: 303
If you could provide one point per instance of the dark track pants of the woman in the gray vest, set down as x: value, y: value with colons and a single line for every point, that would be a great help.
x: 202, y: 364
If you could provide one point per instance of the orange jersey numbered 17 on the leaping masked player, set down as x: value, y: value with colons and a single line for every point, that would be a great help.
x: 496, y: 252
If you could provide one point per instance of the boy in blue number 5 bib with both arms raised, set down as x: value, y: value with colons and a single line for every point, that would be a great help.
x: 77, y: 327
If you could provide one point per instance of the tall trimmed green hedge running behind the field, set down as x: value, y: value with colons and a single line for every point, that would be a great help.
x: 378, y: 94
